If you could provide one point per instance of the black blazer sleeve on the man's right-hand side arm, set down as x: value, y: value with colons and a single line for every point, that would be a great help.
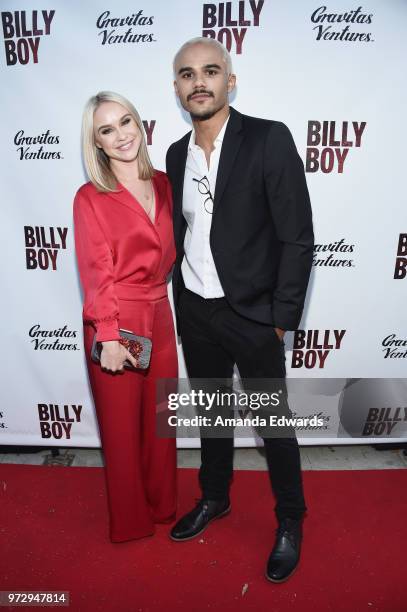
x: 292, y: 217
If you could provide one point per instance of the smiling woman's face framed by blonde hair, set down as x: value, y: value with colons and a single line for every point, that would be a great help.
x: 116, y: 132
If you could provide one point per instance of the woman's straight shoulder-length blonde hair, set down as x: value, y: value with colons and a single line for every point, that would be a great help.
x: 95, y: 159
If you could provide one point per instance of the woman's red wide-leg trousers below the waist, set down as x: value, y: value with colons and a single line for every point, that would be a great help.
x: 140, y: 467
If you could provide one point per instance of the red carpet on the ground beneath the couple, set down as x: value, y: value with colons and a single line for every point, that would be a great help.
x: 53, y: 534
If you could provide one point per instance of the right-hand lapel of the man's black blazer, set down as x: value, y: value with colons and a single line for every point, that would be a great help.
x: 231, y: 143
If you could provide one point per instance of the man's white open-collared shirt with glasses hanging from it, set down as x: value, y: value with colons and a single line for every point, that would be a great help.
x: 198, y: 268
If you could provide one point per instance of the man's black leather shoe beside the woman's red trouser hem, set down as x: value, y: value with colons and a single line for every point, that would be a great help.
x: 196, y: 521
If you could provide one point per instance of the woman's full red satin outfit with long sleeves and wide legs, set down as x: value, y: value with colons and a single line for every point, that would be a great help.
x: 124, y: 259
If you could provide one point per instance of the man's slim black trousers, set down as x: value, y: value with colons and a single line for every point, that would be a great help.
x: 214, y: 338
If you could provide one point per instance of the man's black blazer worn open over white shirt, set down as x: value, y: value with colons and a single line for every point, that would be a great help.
x: 261, y: 235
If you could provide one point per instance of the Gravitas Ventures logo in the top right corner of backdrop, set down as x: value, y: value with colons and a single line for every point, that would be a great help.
x: 344, y: 27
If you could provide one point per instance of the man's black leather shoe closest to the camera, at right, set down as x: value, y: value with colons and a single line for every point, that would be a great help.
x: 285, y: 555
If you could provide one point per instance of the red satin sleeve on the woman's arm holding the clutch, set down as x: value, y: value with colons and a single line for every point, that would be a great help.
x: 95, y: 263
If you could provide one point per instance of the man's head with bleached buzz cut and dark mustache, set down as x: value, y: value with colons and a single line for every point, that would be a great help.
x: 201, y: 81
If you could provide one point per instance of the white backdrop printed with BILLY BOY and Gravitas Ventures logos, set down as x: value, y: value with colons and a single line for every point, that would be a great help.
x: 333, y: 72
